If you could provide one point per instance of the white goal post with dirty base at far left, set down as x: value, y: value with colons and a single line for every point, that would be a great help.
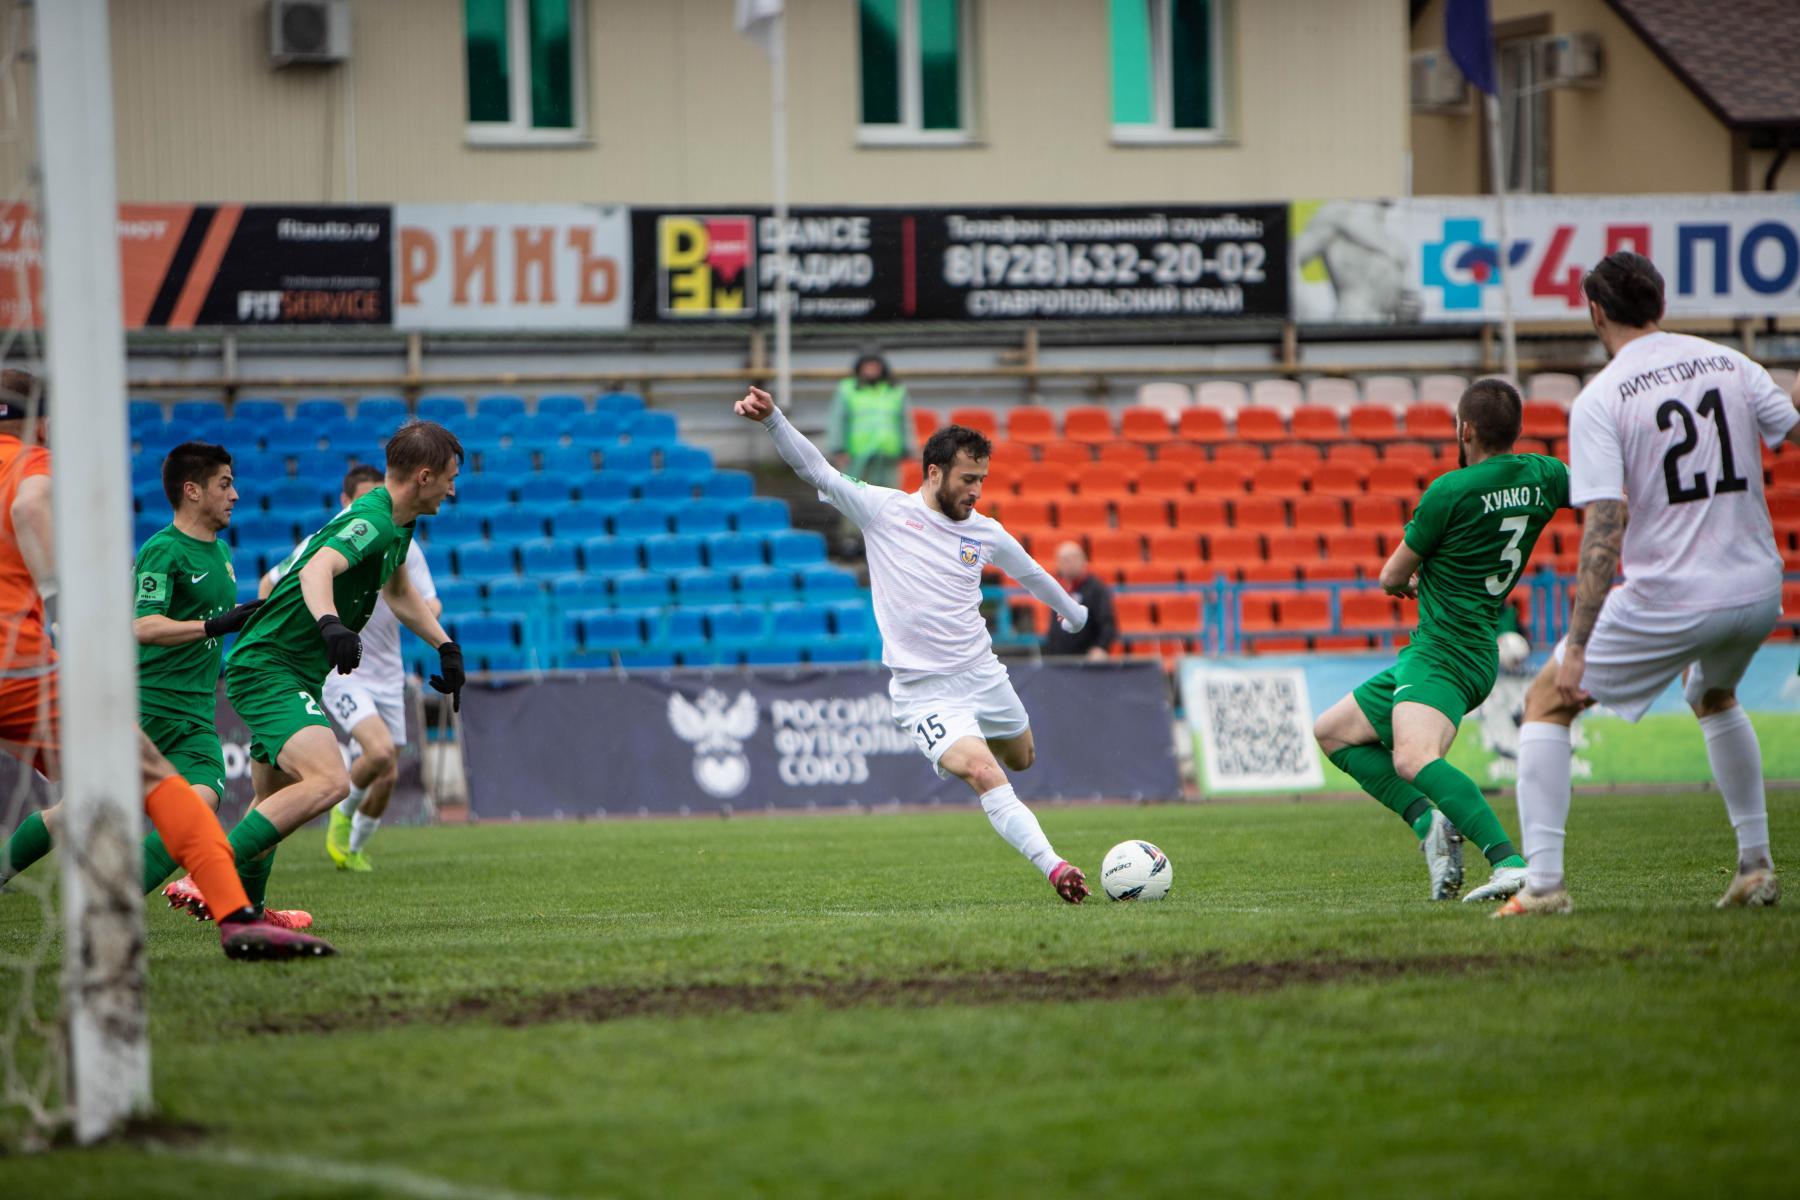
x: 103, y: 913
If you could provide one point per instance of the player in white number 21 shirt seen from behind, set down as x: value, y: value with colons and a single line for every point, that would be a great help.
x: 1664, y: 458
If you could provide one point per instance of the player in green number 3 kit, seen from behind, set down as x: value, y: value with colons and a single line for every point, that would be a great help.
x: 1464, y: 550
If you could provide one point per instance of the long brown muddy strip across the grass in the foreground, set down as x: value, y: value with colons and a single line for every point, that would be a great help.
x: 1000, y: 987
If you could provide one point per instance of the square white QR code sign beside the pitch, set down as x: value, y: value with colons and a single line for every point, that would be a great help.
x: 1255, y: 731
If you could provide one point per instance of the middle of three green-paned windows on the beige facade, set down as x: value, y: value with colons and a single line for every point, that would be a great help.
x: 915, y: 71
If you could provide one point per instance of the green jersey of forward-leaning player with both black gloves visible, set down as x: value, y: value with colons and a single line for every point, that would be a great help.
x: 283, y: 634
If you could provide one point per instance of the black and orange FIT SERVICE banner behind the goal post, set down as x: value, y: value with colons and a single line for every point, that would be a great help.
x: 224, y: 265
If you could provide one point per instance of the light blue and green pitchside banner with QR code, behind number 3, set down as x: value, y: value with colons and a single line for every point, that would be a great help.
x: 1664, y: 748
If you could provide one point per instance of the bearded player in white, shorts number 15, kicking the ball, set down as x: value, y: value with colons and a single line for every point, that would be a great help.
x: 926, y: 557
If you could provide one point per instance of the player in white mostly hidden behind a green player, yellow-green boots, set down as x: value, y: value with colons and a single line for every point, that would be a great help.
x: 370, y: 704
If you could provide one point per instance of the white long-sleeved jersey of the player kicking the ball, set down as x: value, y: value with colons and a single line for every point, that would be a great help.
x: 924, y: 568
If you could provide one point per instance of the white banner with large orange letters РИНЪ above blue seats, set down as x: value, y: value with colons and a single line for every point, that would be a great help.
x: 512, y: 267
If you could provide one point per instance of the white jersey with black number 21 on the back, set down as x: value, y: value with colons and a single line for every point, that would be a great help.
x: 1671, y: 427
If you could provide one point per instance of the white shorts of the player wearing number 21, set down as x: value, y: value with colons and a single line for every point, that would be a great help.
x: 1637, y: 649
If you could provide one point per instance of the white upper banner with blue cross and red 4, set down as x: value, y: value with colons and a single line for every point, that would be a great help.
x: 1439, y: 258
